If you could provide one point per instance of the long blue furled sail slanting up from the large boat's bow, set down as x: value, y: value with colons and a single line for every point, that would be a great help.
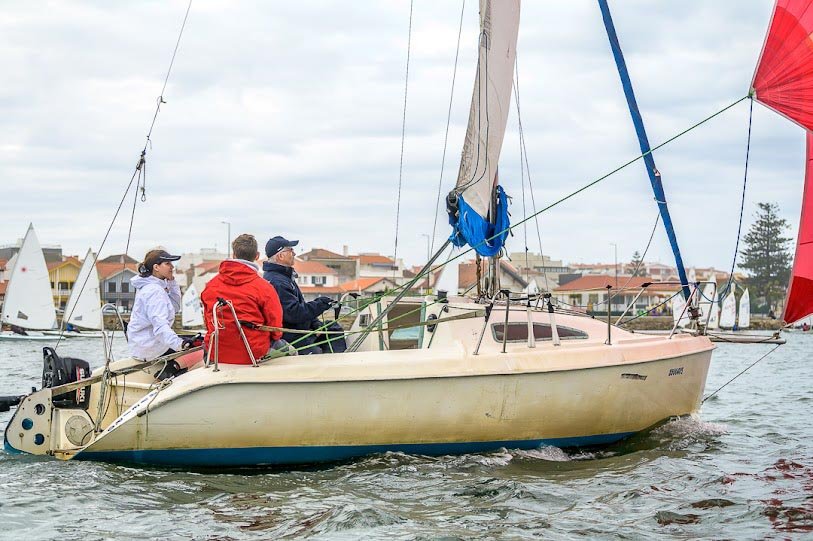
x: 643, y: 141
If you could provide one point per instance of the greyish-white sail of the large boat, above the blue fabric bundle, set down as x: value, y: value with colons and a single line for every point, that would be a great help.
x: 490, y: 103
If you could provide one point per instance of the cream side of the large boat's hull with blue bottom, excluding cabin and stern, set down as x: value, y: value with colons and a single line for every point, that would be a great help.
x: 224, y: 418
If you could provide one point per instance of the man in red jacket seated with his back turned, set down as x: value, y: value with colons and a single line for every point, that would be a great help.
x: 254, y: 301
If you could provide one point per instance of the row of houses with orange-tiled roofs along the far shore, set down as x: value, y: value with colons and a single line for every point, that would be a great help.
x: 321, y: 272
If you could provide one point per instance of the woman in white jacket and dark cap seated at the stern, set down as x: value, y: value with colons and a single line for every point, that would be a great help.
x: 158, y: 299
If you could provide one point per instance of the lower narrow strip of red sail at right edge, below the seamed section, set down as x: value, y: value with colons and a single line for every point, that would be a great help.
x: 799, y: 302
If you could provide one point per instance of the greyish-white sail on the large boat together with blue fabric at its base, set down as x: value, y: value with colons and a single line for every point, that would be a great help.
x: 478, y: 207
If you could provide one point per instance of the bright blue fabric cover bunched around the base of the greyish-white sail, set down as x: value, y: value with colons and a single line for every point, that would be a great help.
x: 468, y: 227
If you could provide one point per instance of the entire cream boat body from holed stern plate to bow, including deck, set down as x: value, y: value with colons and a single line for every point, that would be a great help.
x: 442, y: 399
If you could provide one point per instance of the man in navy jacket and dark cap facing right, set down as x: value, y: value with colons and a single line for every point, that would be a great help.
x: 296, y: 313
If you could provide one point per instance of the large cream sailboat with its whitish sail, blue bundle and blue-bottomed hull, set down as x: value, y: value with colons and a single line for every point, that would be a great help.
x: 483, y: 373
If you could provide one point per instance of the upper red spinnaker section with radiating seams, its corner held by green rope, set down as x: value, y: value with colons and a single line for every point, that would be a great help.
x: 783, y: 79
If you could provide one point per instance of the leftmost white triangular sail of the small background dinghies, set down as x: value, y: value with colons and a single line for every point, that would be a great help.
x: 29, y: 302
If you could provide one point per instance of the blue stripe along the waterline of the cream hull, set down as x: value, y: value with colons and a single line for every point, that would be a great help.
x: 259, y: 456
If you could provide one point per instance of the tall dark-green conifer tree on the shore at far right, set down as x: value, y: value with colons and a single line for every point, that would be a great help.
x: 766, y: 255
